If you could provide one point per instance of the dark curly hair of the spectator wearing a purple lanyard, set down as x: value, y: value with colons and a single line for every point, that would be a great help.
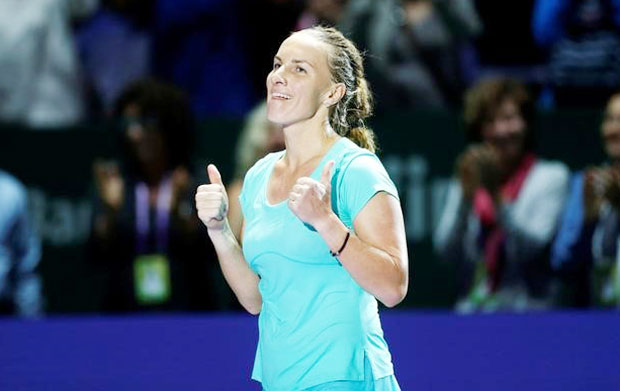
x: 168, y: 111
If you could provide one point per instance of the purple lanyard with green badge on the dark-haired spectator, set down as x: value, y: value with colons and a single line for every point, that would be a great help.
x: 152, y: 283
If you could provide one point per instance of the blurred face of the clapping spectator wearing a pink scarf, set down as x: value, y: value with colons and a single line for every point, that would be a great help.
x: 506, y: 132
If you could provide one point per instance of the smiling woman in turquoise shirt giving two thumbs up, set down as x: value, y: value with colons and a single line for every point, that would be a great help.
x: 323, y: 232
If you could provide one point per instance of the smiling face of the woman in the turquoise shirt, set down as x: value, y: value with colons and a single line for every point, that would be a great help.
x: 299, y: 81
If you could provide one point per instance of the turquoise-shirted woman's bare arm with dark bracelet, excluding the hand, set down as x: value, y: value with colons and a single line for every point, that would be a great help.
x: 376, y: 254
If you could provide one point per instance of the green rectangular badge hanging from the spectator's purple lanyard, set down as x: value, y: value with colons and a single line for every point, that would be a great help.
x: 151, y: 279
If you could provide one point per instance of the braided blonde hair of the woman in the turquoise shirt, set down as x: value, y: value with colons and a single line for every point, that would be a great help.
x: 347, y: 117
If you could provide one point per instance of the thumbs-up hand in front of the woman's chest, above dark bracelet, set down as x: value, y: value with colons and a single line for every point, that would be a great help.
x: 310, y: 200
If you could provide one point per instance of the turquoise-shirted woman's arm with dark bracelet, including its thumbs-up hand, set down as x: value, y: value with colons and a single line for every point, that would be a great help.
x: 376, y: 253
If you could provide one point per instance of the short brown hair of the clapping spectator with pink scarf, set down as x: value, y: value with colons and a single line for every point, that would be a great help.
x: 483, y: 100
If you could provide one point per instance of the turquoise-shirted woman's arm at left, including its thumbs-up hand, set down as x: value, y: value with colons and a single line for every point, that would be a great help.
x: 212, y: 207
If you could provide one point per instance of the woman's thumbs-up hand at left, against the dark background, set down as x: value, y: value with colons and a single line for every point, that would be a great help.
x: 212, y: 200
